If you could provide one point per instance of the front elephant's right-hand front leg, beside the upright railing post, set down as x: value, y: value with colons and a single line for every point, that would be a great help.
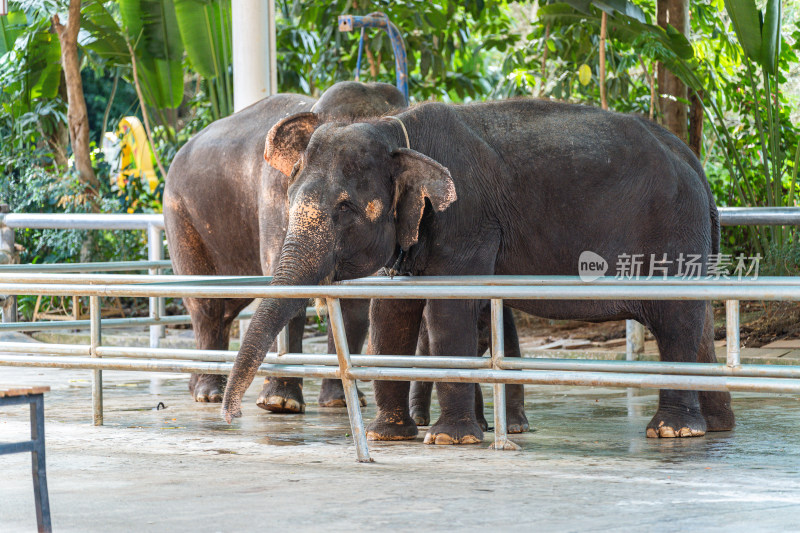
x: 453, y: 331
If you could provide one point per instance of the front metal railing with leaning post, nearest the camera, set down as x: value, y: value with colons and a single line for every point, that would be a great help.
x: 496, y: 370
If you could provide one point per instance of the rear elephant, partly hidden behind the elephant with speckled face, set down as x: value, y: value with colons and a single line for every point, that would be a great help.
x: 225, y: 211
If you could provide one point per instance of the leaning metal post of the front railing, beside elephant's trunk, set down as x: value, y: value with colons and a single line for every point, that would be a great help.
x: 349, y: 384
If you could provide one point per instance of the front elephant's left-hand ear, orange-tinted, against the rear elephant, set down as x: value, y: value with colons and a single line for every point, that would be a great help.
x: 287, y: 140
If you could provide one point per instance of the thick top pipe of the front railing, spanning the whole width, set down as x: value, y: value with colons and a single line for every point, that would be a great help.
x: 619, y: 291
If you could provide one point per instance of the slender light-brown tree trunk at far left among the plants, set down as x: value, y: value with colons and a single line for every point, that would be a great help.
x: 76, y: 105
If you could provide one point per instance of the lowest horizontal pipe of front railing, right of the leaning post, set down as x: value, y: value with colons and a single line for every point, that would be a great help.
x: 592, y: 379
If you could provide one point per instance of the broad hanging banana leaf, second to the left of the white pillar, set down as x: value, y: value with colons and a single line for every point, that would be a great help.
x: 152, y: 29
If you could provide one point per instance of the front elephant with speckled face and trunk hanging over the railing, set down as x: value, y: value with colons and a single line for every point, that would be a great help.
x: 511, y: 187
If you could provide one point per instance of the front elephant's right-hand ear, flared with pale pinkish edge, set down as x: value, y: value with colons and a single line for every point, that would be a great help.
x: 416, y: 177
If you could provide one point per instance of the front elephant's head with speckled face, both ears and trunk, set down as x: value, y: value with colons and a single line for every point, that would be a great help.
x: 357, y: 195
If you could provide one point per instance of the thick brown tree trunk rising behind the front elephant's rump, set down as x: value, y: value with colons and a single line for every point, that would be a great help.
x: 673, y: 94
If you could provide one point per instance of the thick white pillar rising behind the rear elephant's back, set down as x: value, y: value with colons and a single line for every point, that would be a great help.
x: 252, y: 60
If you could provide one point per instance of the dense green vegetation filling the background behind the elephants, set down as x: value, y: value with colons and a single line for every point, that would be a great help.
x: 745, y: 75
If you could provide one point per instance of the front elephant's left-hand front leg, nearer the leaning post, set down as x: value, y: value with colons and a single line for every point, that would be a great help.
x: 394, y: 331
